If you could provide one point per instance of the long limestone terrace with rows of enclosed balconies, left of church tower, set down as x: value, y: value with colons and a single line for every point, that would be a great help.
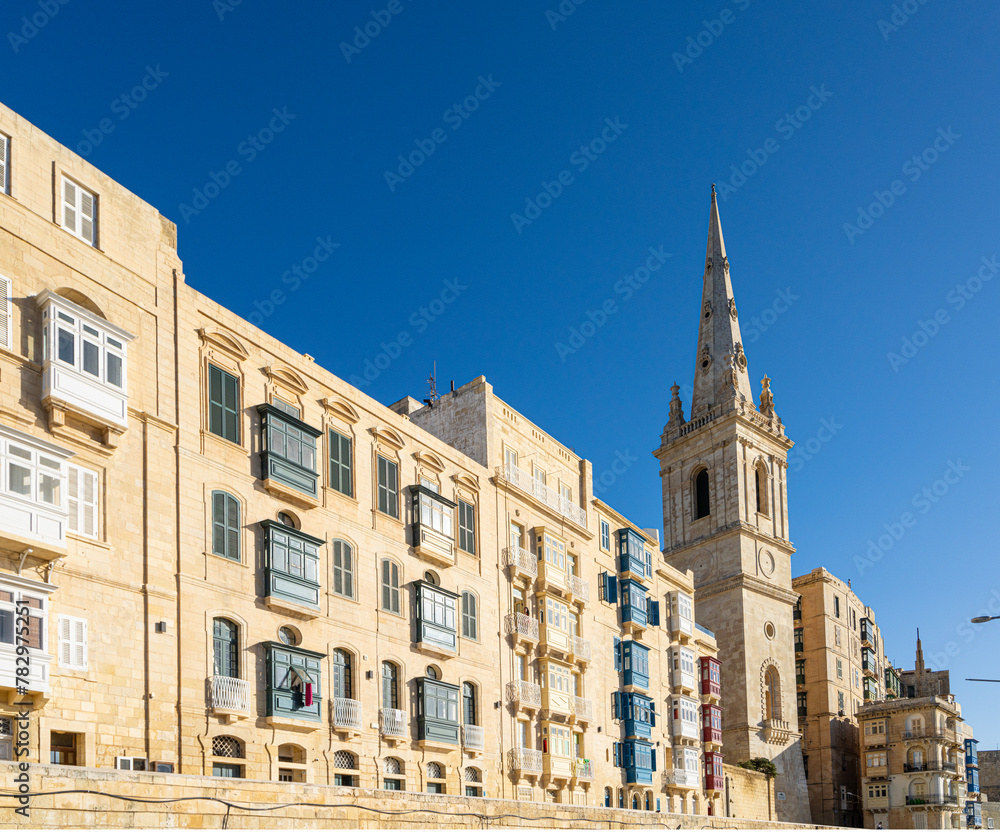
x: 231, y: 563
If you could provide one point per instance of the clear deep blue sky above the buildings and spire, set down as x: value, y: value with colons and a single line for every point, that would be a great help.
x: 547, y: 87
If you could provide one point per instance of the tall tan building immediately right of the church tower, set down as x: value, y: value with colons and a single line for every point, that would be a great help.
x: 840, y: 665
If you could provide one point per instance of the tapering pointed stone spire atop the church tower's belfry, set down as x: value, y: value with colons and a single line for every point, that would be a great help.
x: 720, y: 376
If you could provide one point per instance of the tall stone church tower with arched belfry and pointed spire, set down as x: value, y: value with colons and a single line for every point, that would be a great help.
x: 725, y: 516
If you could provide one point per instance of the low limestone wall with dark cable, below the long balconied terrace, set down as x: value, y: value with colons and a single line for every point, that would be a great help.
x: 92, y: 798
